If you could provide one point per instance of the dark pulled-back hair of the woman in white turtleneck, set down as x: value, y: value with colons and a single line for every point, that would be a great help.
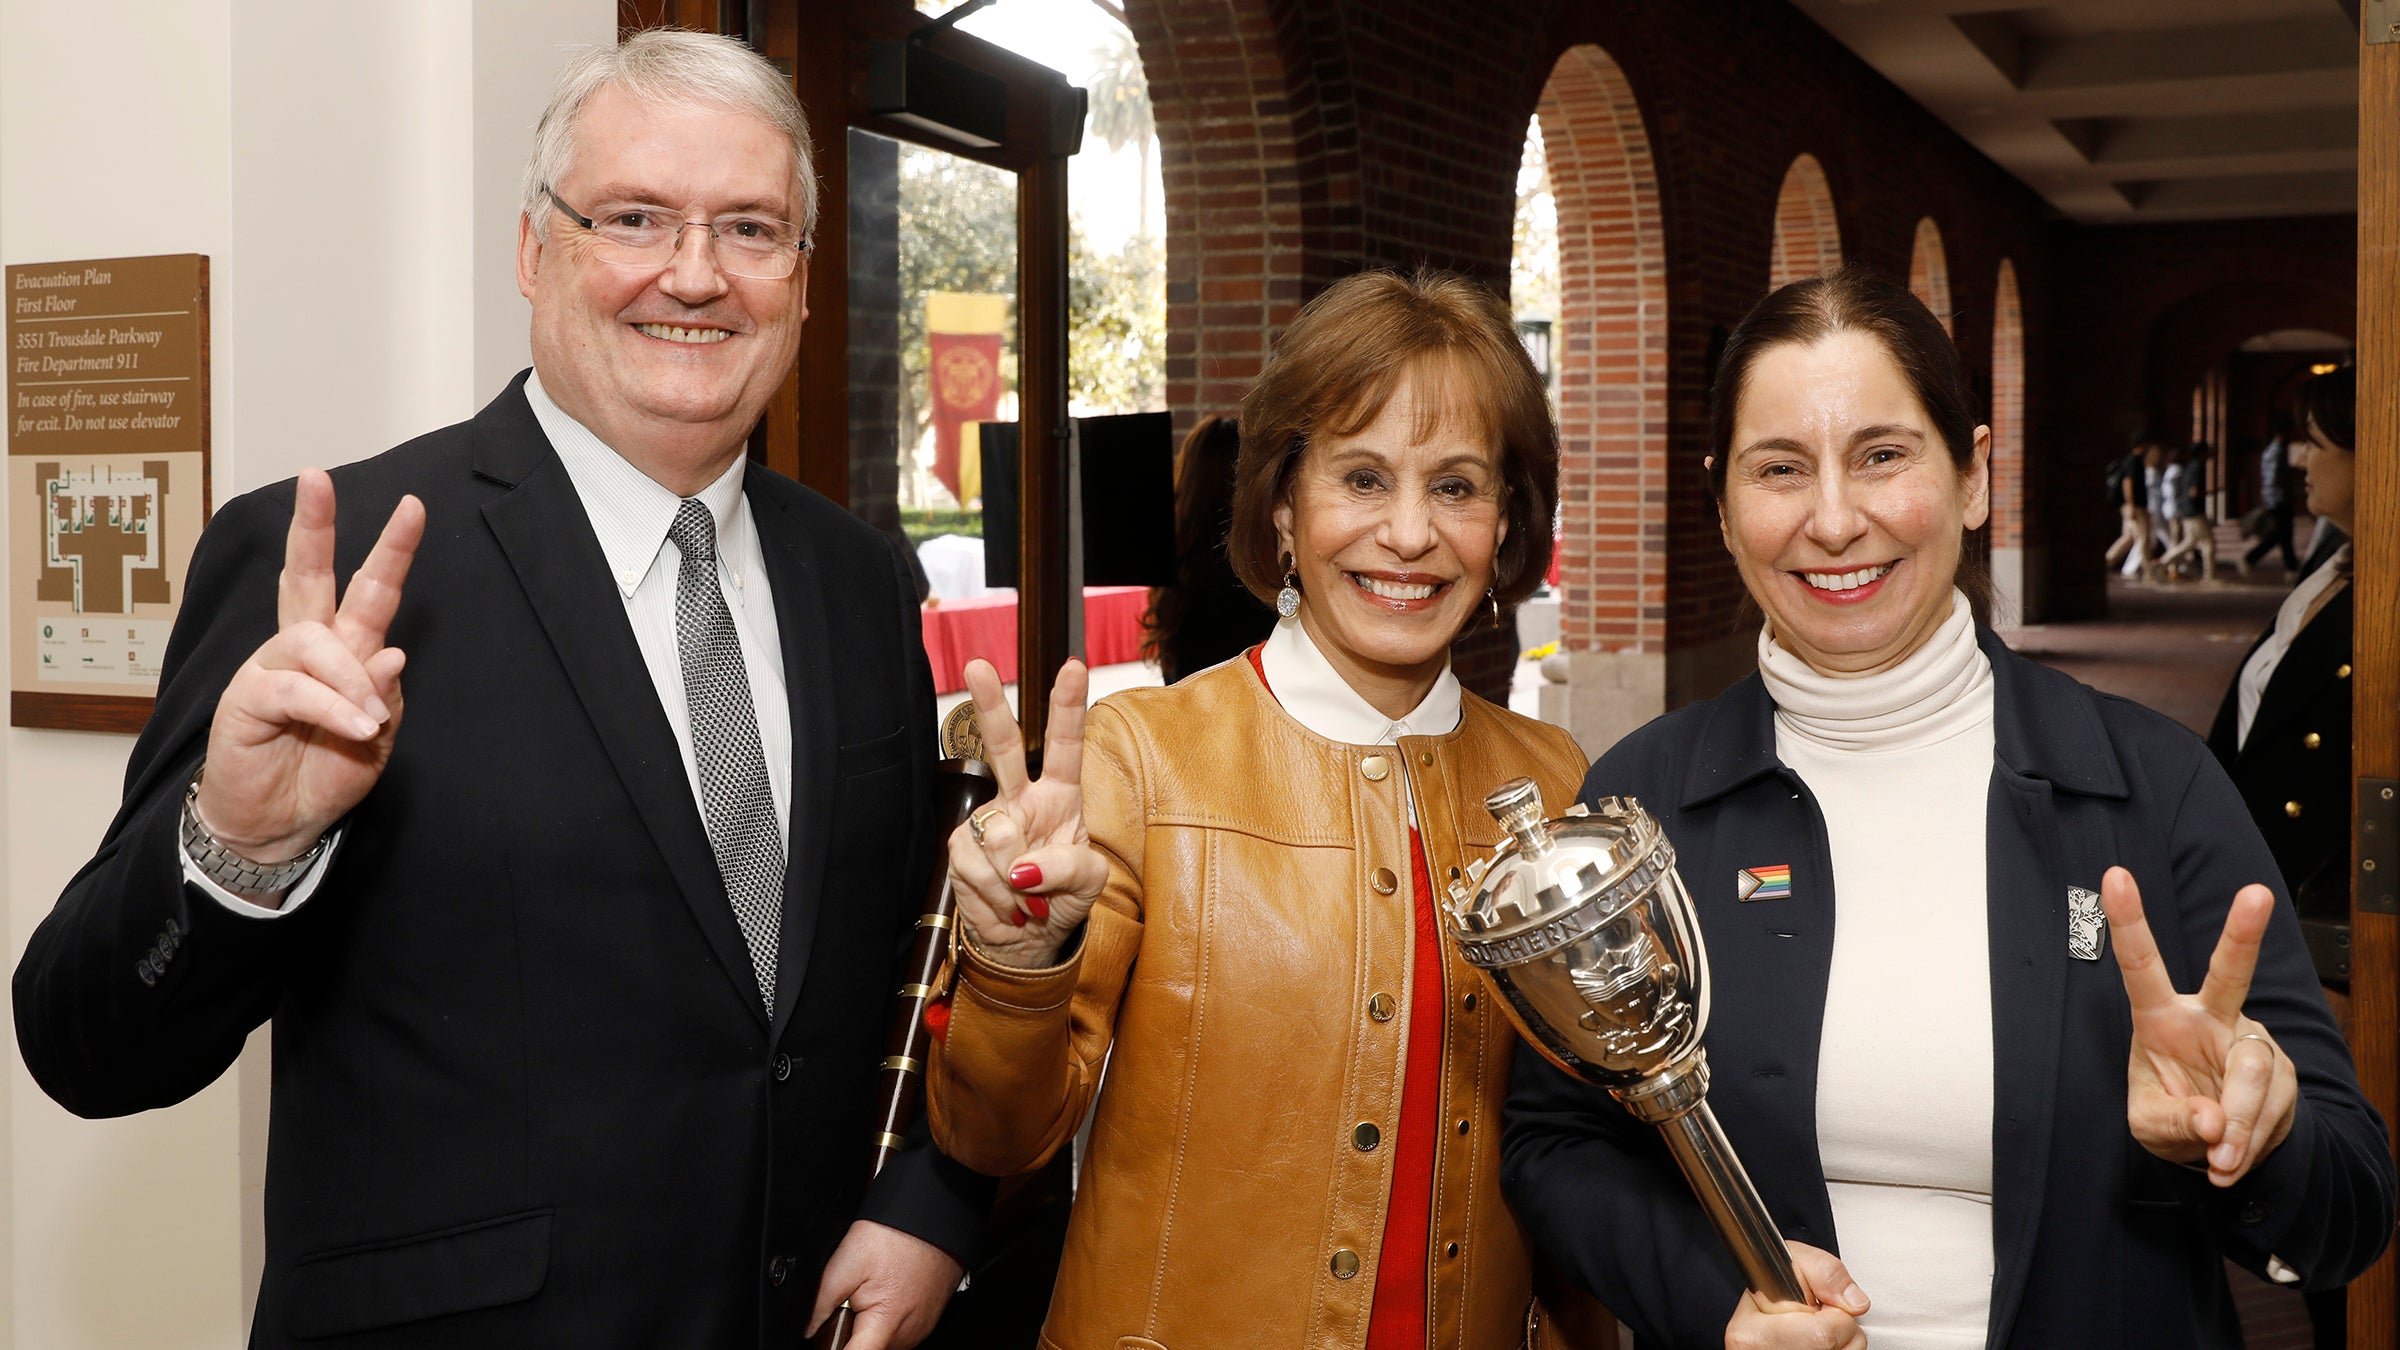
x: 1856, y: 299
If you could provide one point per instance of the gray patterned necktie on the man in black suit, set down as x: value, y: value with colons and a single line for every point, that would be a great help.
x: 736, y: 796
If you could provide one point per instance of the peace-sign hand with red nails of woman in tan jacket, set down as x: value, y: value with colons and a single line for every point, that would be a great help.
x: 1024, y: 868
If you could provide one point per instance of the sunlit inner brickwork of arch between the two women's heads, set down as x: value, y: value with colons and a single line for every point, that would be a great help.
x: 1612, y: 386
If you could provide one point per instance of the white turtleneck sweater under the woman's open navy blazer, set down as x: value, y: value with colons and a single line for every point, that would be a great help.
x: 1902, y: 767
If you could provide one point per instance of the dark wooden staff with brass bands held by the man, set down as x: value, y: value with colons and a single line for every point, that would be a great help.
x: 961, y: 784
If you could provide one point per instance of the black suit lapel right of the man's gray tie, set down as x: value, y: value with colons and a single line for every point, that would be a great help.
x: 808, y: 681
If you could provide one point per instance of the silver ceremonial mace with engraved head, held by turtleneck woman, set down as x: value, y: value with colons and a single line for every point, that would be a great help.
x: 1588, y: 936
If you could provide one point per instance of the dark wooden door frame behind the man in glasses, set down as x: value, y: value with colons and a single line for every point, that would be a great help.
x: 808, y: 424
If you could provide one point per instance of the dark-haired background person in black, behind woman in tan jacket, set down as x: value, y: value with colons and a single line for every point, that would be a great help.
x: 1206, y: 616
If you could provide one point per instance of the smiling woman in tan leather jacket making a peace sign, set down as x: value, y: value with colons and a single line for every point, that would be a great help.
x: 1223, y: 892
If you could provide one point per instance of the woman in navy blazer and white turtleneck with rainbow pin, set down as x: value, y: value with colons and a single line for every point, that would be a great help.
x: 2123, y: 1135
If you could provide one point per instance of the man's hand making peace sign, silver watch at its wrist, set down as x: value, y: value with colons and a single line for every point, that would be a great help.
x: 306, y: 724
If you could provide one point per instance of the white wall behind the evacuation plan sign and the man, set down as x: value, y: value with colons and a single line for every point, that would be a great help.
x: 352, y: 174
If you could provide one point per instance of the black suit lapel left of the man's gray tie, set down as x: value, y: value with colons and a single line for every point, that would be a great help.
x: 551, y: 544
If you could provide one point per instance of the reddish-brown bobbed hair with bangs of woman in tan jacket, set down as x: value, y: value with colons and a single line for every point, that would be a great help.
x: 1333, y: 374
